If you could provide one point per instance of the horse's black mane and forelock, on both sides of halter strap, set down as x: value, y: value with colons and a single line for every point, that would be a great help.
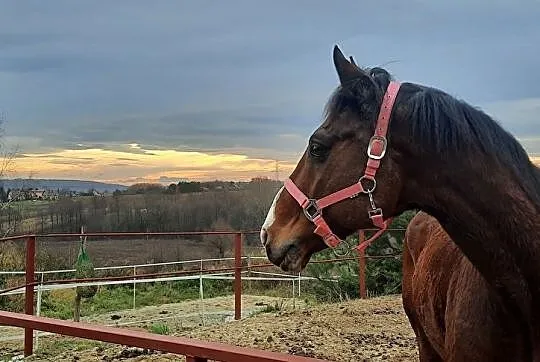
x: 442, y: 123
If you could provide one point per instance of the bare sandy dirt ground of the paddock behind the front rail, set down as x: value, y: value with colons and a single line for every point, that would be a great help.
x: 360, y: 330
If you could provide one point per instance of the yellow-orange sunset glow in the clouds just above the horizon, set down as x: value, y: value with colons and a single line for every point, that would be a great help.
x: 141, y: 165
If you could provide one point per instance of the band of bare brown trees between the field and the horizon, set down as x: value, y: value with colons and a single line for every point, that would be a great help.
x: 189, y: 206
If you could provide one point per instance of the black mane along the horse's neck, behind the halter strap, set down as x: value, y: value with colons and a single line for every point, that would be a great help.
x: 447, y: 125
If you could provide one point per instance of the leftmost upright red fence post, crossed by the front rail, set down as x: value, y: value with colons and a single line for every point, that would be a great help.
x: 29, y: 292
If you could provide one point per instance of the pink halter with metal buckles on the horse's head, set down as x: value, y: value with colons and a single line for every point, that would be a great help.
x: 366, y: 184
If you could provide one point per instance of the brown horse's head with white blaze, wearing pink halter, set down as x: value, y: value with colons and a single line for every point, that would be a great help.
x: 348, y: 177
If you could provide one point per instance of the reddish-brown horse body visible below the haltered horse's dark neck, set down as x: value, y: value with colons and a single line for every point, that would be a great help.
x: 451, y: 308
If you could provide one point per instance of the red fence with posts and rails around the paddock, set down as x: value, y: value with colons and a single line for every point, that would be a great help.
x: 198, y: 350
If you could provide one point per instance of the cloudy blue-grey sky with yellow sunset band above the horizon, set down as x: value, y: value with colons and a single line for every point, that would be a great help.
x: 141, y: 91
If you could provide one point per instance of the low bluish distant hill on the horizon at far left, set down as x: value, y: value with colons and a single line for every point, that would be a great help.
x: 52, y: 184
